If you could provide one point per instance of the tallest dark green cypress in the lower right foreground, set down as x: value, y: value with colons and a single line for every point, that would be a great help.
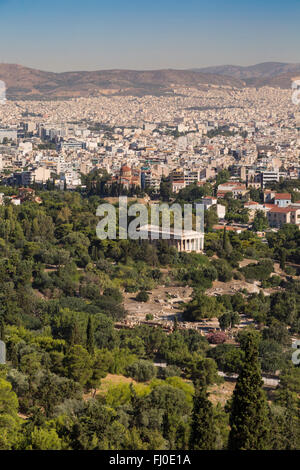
x: 248, y: 420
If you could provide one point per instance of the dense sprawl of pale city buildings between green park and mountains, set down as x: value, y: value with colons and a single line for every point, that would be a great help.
x: 189, y: 137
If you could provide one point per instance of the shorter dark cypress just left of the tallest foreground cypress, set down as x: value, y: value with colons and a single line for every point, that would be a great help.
x: 203, y: 430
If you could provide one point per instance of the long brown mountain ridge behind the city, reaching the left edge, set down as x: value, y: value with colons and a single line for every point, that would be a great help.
x: 27, y: 83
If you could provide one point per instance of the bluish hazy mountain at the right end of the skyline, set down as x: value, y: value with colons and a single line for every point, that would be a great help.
x: 276, y: 74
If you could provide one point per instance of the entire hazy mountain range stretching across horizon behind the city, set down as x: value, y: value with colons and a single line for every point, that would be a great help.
x: 28, y: 83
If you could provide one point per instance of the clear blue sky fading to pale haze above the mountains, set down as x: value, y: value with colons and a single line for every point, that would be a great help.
x: 137, y: 34
